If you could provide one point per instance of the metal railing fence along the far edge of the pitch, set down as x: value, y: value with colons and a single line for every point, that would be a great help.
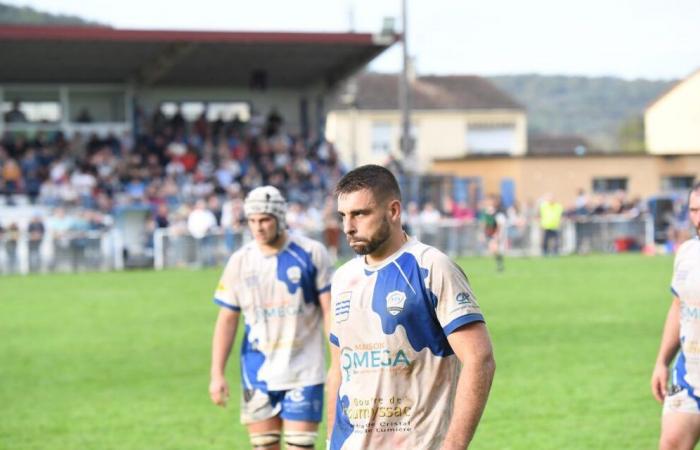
x: 105, y: 250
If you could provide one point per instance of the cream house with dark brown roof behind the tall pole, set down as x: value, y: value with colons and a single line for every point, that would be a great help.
x: 452, y: 117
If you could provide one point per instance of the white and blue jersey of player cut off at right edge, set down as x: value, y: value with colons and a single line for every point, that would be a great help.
x: 686, y: 286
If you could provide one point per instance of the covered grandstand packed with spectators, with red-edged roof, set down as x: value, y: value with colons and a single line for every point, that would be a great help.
x: 128, y: 129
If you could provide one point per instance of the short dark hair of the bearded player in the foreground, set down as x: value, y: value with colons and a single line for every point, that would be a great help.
x: 377, y: 179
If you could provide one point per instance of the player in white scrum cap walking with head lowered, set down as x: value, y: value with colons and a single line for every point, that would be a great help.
x: 281, y: 285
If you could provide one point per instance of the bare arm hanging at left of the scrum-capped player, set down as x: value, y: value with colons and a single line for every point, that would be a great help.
x: 224, y: 335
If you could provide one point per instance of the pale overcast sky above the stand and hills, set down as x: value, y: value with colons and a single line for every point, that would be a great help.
x: 651, y: 39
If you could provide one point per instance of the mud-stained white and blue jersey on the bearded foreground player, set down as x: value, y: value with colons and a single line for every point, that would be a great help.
x: 399, y: 373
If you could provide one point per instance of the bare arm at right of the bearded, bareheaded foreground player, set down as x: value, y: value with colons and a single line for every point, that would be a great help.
x: 472, y: 345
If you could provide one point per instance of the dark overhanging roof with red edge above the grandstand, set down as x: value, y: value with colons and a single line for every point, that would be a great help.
x: 71, y: 54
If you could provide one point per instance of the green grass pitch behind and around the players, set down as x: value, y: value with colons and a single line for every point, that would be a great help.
x: 121, y: 360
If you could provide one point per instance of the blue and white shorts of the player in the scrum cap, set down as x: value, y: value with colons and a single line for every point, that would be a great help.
x: 302, y: 404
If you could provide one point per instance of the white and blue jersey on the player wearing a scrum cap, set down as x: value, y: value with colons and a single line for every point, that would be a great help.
x: 278, y: 296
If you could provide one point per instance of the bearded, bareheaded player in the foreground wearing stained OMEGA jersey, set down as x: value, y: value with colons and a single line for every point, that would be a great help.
x: 411, y: 358
